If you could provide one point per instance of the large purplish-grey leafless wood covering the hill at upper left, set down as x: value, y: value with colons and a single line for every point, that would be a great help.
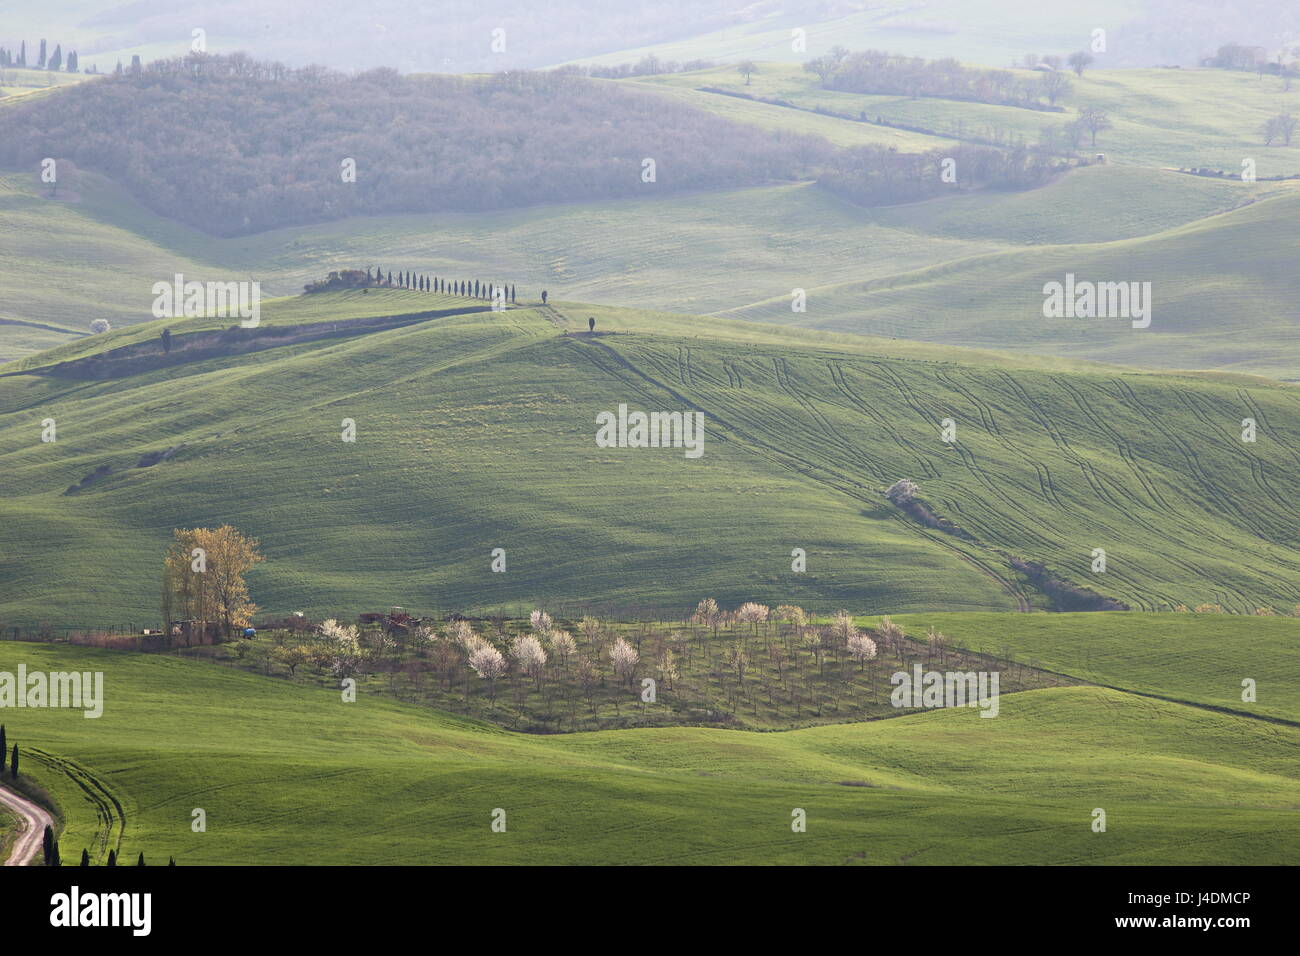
x: 265, y: 144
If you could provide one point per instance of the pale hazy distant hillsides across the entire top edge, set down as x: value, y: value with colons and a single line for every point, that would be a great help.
x: 457, y: 36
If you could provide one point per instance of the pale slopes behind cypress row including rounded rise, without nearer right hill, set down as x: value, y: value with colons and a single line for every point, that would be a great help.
x: 99, y: 256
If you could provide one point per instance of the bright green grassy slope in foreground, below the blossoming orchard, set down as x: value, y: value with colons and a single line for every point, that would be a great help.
x: 289, y: 775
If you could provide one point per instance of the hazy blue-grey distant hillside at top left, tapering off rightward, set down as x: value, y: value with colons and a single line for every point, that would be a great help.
x: 450, y: 36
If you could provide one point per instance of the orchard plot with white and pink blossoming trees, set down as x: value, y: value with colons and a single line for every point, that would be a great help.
x: 755, y: 667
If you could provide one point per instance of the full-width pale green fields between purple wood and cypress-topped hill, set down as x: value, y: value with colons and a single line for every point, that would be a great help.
x: 891, y: 271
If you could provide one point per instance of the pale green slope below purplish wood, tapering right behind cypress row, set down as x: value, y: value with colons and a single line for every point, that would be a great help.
x: 66, y: 263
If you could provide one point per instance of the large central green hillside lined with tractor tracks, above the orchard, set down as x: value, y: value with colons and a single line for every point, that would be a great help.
x: 476, y: 432
